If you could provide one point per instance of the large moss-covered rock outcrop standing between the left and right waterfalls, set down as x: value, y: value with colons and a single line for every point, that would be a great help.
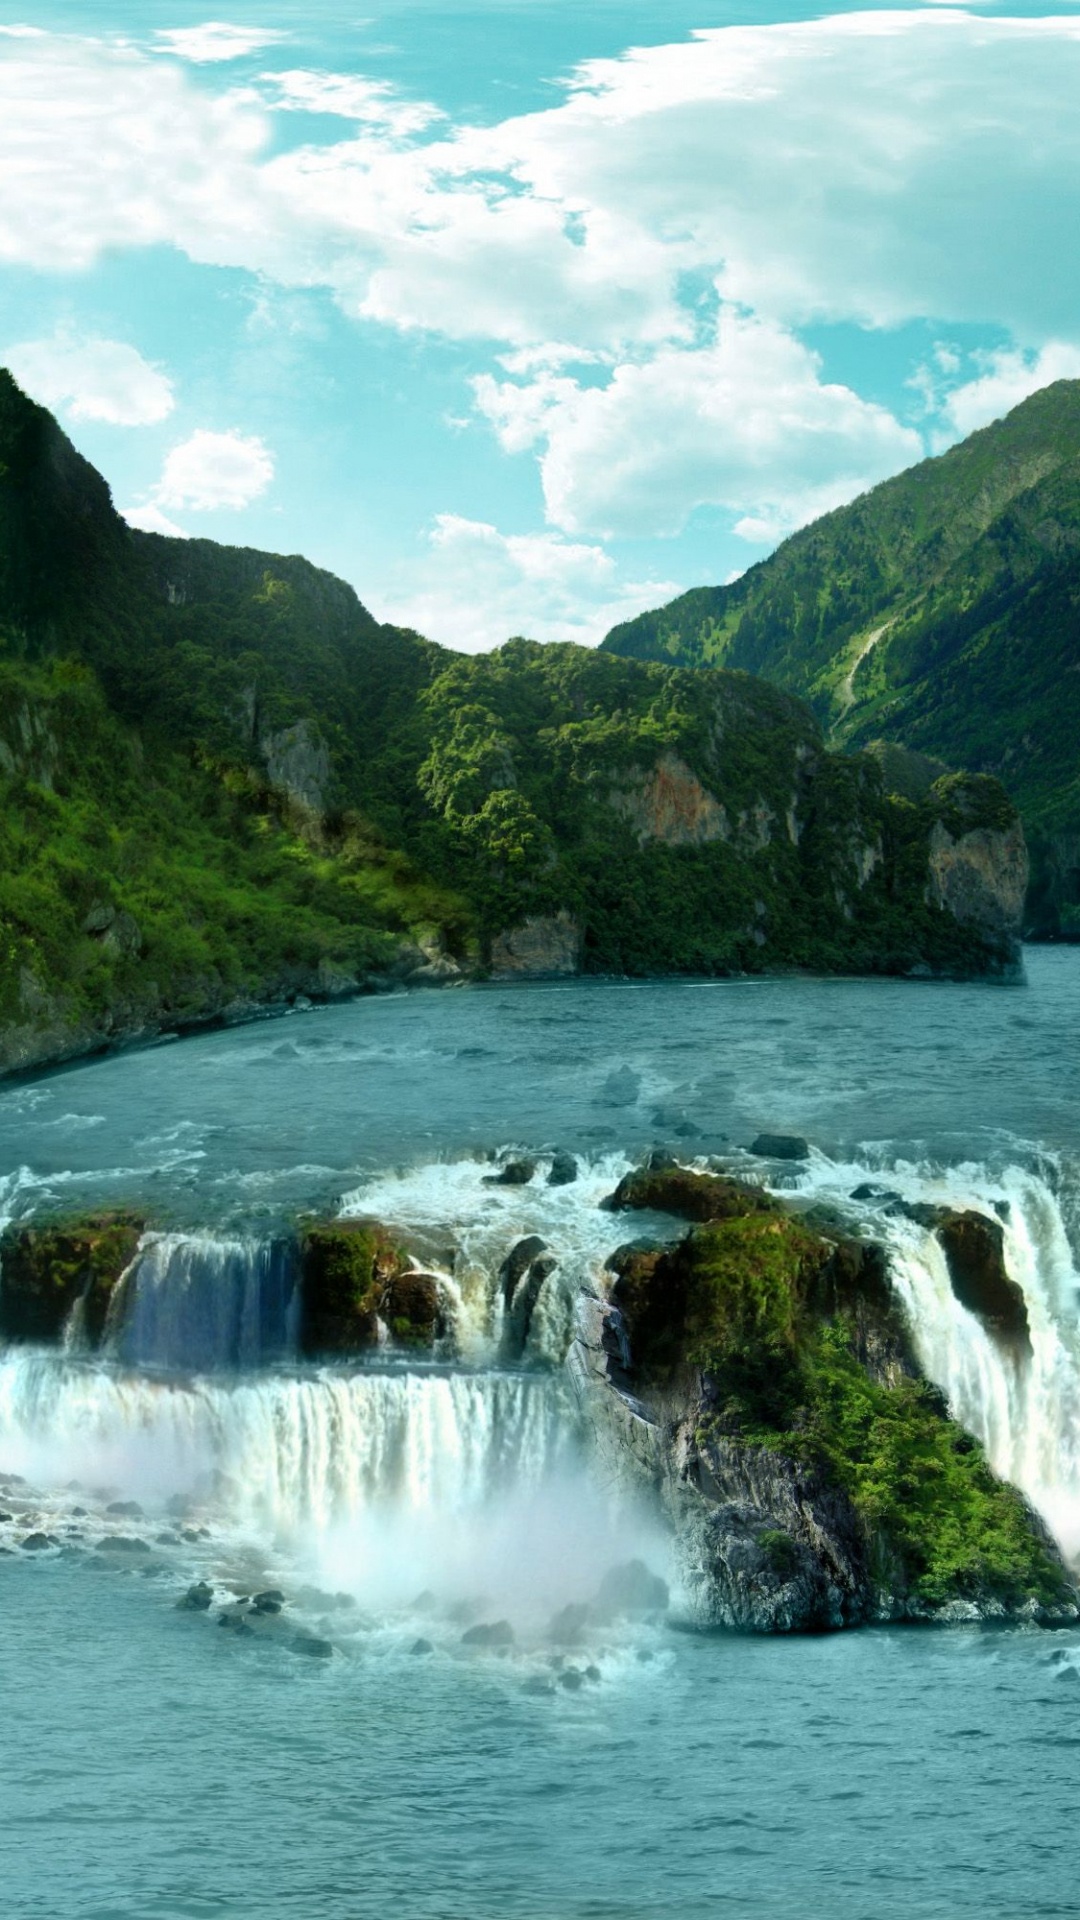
x: 762, y: 1380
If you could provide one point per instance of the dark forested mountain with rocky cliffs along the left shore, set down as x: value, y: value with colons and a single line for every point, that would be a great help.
x: 228, y: 786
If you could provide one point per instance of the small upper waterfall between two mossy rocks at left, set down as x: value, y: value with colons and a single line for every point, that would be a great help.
x: 191, y: 1303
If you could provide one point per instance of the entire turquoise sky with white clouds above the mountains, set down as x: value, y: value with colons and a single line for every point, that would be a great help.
x: 524, y: 316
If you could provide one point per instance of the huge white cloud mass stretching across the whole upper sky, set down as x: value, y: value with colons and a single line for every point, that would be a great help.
x: 866, y: 168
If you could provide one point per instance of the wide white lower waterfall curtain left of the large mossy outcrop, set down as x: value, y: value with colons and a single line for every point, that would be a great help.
x: 285, y: 1452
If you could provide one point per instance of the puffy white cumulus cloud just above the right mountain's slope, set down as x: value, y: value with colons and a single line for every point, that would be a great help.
x: 745, y: 423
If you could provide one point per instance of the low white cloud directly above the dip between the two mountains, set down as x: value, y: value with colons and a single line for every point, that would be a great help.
x: 479, y: 587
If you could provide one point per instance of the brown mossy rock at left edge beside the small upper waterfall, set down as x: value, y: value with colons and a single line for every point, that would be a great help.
x: 45, y: 1270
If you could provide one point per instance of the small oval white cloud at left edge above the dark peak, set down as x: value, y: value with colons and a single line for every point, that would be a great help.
x: 93, y: 379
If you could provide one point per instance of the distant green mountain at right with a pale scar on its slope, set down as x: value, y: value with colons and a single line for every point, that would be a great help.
x: 939, y: 613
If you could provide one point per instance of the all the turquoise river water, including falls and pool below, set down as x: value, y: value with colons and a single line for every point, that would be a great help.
x: 157, y: 1767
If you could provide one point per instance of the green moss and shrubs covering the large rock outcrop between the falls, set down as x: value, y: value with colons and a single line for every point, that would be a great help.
x: 754, y: 1305
